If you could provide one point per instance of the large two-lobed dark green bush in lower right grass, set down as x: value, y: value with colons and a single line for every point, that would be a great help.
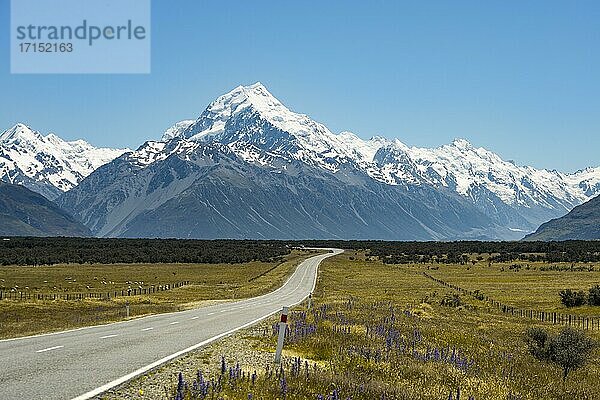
x: 571, y: 349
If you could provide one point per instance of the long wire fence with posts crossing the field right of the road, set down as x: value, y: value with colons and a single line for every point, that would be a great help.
x: 580, y: 321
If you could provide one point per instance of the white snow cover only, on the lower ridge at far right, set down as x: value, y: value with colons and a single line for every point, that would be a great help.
x: 464, y: 167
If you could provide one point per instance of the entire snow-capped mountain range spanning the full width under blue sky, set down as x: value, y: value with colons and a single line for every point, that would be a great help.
x: 248, y: 167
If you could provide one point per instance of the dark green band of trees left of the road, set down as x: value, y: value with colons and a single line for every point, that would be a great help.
x: 48, y: 251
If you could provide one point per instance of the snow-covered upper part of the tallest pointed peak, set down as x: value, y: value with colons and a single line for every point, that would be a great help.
x: 252, y: 116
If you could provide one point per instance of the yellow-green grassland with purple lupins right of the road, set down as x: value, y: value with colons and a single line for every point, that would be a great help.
x: 380, y: 332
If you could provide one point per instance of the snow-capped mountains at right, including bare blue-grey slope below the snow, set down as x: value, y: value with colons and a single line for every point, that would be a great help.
x: 519, y: 197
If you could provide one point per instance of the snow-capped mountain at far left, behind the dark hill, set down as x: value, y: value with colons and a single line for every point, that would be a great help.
x: 47, y: 164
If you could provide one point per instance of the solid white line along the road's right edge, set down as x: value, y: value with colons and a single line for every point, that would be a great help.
x: 163, y: 360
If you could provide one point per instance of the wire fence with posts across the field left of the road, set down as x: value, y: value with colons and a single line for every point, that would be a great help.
x: 91, y: 295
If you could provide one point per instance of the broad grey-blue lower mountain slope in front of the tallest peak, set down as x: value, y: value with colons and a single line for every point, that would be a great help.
x: 197, y: 189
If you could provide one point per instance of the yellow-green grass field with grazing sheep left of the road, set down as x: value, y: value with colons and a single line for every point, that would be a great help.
x: 208, y: 283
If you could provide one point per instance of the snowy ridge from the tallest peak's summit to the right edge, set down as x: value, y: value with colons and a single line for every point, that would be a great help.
x: 261, y: 130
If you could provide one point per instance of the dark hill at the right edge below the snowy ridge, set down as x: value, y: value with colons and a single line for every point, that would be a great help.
x: 582, y: 223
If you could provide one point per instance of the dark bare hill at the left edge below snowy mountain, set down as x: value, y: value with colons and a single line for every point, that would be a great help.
x: 27, y: 213
